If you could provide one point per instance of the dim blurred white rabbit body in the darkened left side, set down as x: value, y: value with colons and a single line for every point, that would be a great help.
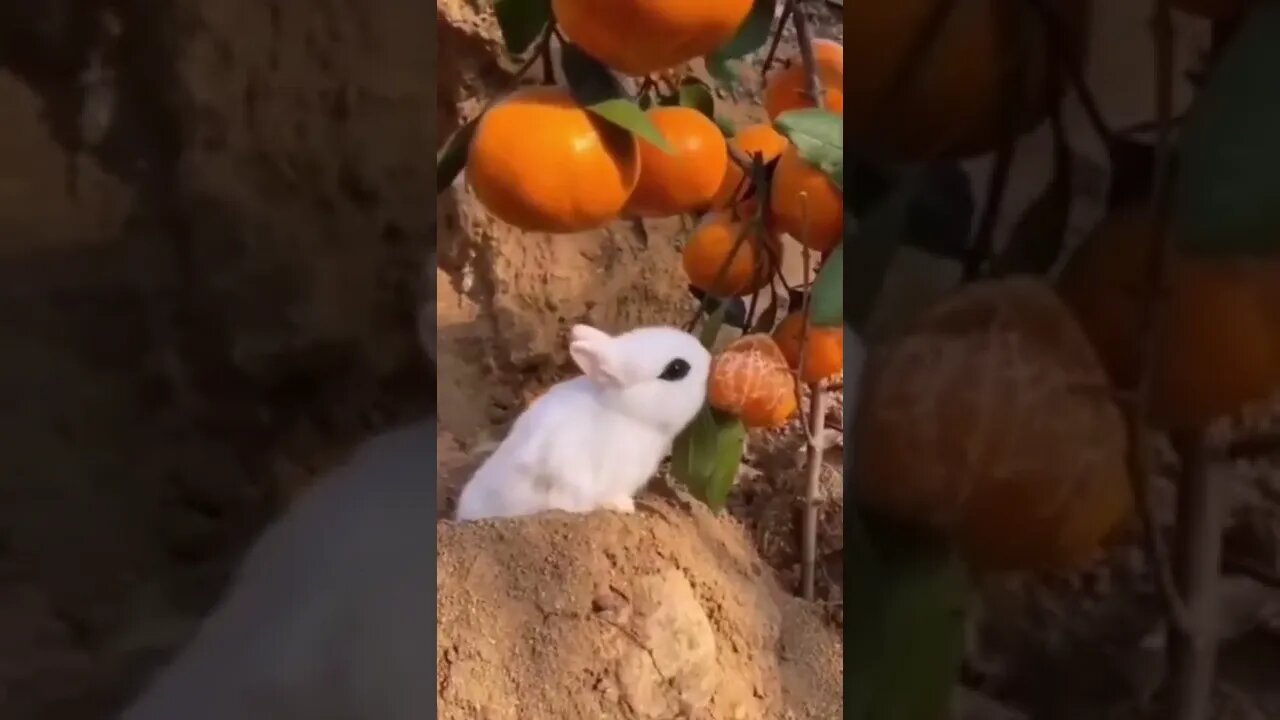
x: 331, y: 617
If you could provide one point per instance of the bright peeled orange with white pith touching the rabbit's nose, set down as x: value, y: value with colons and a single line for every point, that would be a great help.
x: 749, y: 380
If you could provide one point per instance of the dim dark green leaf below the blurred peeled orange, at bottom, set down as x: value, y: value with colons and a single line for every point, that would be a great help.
x: 906, y: 644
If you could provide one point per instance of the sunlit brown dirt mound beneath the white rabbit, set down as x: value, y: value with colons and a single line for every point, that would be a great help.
x: 661, y: 614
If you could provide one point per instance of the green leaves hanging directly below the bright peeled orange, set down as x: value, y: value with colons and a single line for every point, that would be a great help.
x: 707, y: 454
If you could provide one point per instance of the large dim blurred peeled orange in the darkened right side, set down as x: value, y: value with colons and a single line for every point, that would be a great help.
x: 973, y: 423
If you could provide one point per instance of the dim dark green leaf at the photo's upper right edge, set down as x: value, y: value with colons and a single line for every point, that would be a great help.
x: 1227, y: 200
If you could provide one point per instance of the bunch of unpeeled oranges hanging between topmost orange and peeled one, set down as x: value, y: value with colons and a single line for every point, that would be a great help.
x: 543, y: 163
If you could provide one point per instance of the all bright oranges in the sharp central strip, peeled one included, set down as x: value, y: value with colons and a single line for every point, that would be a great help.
x: 543, y: 163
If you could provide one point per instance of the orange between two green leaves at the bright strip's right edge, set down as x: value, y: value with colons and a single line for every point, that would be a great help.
x: 802, y: 193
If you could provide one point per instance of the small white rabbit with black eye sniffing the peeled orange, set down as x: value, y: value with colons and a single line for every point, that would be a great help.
x: 592, y: 443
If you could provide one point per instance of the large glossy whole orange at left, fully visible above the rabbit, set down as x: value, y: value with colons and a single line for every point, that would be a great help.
x: 542, y: 163
